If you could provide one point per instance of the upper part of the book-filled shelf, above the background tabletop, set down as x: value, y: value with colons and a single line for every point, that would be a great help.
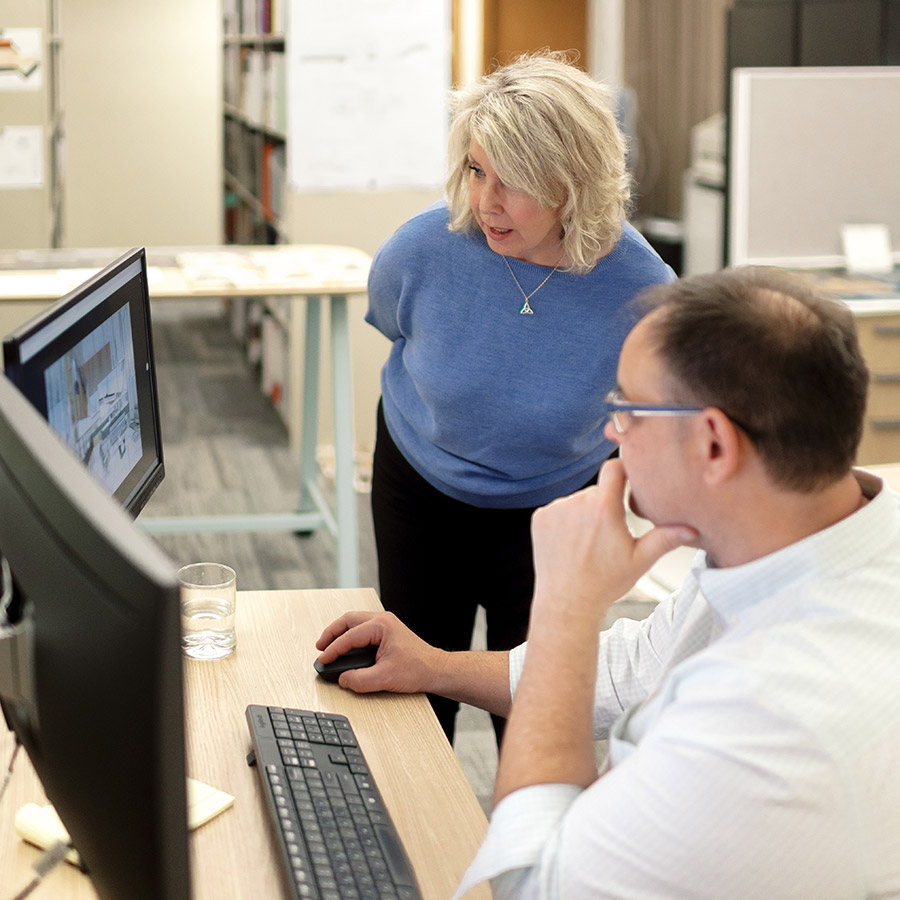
x: 254, y: 102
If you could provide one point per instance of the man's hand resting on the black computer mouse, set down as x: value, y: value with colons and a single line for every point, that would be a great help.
x: 404, y: 664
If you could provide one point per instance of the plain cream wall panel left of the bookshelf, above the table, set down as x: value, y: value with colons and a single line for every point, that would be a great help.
x: 142, y: 102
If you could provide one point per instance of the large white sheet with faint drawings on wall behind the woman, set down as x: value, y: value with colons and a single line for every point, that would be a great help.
x: 367, y: 92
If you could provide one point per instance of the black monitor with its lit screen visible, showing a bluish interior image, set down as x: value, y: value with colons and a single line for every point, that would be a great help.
x: 86, y: 363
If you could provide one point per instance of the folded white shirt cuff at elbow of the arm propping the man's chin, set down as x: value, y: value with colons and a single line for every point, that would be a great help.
x: 521, y: 825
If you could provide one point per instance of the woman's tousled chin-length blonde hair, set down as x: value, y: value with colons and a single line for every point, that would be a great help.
x: 549, y: 130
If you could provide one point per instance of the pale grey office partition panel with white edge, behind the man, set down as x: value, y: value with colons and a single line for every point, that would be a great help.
x: 812, y: 149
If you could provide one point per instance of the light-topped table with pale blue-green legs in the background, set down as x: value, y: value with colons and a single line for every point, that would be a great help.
x: 306, y: 277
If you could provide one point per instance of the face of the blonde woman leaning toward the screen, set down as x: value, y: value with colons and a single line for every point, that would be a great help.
x: 512, y: 221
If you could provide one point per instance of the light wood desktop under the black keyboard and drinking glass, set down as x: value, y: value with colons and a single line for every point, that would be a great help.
x: 233, y: 855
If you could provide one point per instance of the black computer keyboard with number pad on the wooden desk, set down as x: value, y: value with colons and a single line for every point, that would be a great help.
x: 336, y: 838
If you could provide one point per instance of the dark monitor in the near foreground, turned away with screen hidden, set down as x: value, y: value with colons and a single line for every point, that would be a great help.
x: 90, y: 662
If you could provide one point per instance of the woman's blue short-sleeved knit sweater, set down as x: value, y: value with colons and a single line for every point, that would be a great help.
x: 491, y: 407
